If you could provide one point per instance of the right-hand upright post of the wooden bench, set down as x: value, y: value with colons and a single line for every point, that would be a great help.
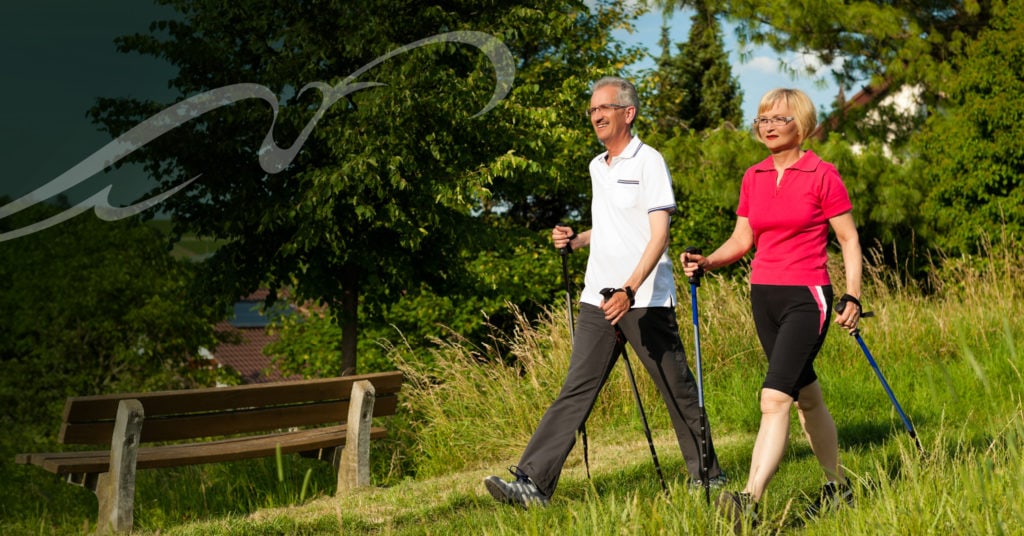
x: 354, y: 471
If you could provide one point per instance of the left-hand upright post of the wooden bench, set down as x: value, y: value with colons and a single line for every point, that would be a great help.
x: 116, y: 489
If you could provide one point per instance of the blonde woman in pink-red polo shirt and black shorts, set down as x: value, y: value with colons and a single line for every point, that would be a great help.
x: 787, y: 204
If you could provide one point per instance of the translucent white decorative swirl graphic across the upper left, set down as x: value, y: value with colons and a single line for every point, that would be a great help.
x: 273, y: 158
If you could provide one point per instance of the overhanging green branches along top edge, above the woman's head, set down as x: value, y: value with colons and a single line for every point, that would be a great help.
x: 902, y: 42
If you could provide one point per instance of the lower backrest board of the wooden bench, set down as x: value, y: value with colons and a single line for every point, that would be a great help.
x: 187, y: 427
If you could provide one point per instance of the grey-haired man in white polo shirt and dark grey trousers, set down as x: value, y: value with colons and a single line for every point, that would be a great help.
x: 632, y: 203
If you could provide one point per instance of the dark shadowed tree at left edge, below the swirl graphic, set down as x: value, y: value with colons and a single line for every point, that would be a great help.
x: 95, y: 308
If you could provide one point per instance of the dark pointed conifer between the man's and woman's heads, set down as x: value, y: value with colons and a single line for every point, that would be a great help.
x: 696, y: 89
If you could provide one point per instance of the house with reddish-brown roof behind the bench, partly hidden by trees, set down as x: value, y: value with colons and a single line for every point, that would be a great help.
x: 249, y: 322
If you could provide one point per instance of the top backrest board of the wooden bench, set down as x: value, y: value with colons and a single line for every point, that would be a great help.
x: 225, y: 399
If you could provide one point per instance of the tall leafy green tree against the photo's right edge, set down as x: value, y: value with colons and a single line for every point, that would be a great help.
x: 971, y: 151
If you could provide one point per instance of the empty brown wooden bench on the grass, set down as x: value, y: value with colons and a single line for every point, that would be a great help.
x: 206, y: 426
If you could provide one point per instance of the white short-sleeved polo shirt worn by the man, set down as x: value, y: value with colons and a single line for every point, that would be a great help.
x: 635, y: 184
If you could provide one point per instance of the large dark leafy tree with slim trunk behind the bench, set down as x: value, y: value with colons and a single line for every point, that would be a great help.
x: 400, y: 183
